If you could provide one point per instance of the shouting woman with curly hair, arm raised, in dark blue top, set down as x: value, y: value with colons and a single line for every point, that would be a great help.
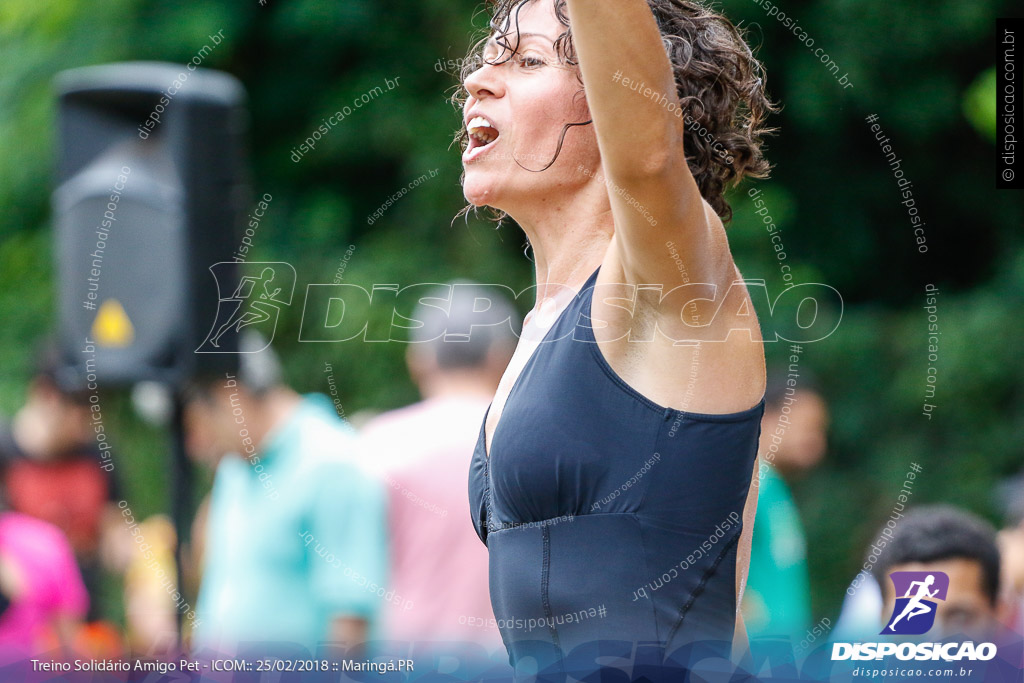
x: 612, y: 481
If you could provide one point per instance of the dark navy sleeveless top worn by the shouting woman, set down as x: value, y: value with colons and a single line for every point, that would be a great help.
x: 608, y: 517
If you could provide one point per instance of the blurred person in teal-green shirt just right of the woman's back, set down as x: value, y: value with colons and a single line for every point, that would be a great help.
x: 794, y: 439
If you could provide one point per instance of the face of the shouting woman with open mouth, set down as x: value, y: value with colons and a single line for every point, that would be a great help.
x: 517, y: 109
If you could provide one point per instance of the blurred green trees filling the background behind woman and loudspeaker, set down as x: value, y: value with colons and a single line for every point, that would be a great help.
x: 924, y: 67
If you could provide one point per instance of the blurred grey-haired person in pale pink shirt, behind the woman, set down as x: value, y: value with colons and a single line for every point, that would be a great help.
x: 439, y: 567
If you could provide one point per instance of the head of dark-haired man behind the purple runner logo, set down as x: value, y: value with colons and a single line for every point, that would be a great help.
x: 948, y: 540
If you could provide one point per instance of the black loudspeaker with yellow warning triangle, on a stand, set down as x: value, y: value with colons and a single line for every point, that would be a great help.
x: 152, y: 191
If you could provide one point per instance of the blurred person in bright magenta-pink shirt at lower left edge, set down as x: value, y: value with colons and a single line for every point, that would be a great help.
x: 41, y: 584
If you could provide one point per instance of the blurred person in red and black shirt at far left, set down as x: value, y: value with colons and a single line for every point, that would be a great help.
x: 58, y: 465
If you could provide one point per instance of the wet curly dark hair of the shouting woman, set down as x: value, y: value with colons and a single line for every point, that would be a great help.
x: 720, y: 84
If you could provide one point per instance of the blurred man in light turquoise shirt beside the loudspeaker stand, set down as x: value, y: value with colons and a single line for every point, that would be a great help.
x: 295, y: 545
